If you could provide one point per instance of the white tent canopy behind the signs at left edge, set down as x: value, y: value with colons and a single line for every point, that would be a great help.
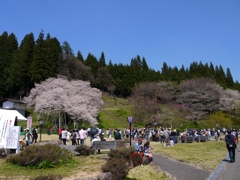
x: 6, y: 114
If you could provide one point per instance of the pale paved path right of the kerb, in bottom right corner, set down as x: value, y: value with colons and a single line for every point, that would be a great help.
x: 227, y: 170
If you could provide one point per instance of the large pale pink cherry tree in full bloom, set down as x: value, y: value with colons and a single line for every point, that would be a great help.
x: 60, y: 96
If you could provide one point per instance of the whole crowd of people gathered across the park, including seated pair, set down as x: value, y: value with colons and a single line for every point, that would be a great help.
x: 162, y: 135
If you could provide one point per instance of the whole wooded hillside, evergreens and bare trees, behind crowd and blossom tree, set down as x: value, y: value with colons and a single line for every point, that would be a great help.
x: 167, y: 96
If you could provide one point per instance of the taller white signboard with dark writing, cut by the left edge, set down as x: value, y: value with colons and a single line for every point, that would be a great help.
x: 4, y: 124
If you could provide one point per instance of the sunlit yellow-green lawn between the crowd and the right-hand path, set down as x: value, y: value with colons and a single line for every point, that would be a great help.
x: 207, y: 155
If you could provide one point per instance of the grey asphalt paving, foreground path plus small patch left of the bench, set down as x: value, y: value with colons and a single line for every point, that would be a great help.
x: 183, y: 171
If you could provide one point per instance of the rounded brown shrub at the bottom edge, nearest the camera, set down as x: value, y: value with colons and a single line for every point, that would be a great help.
x: 118, y: 167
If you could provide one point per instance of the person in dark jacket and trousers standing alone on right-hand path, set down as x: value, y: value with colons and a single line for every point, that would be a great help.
x: 231, y: 145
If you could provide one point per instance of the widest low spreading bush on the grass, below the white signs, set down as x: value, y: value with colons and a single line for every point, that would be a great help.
x: 46, y: 156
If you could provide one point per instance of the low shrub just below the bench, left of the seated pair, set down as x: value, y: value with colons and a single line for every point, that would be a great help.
x: 122, y: 153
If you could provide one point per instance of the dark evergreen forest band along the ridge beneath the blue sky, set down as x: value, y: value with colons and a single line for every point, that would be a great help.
x: 35, y: 59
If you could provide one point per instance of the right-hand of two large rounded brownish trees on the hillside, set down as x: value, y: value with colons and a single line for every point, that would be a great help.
x: 200, y: 96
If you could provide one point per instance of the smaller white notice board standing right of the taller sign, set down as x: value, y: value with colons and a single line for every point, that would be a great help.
x: 13, y: 136
